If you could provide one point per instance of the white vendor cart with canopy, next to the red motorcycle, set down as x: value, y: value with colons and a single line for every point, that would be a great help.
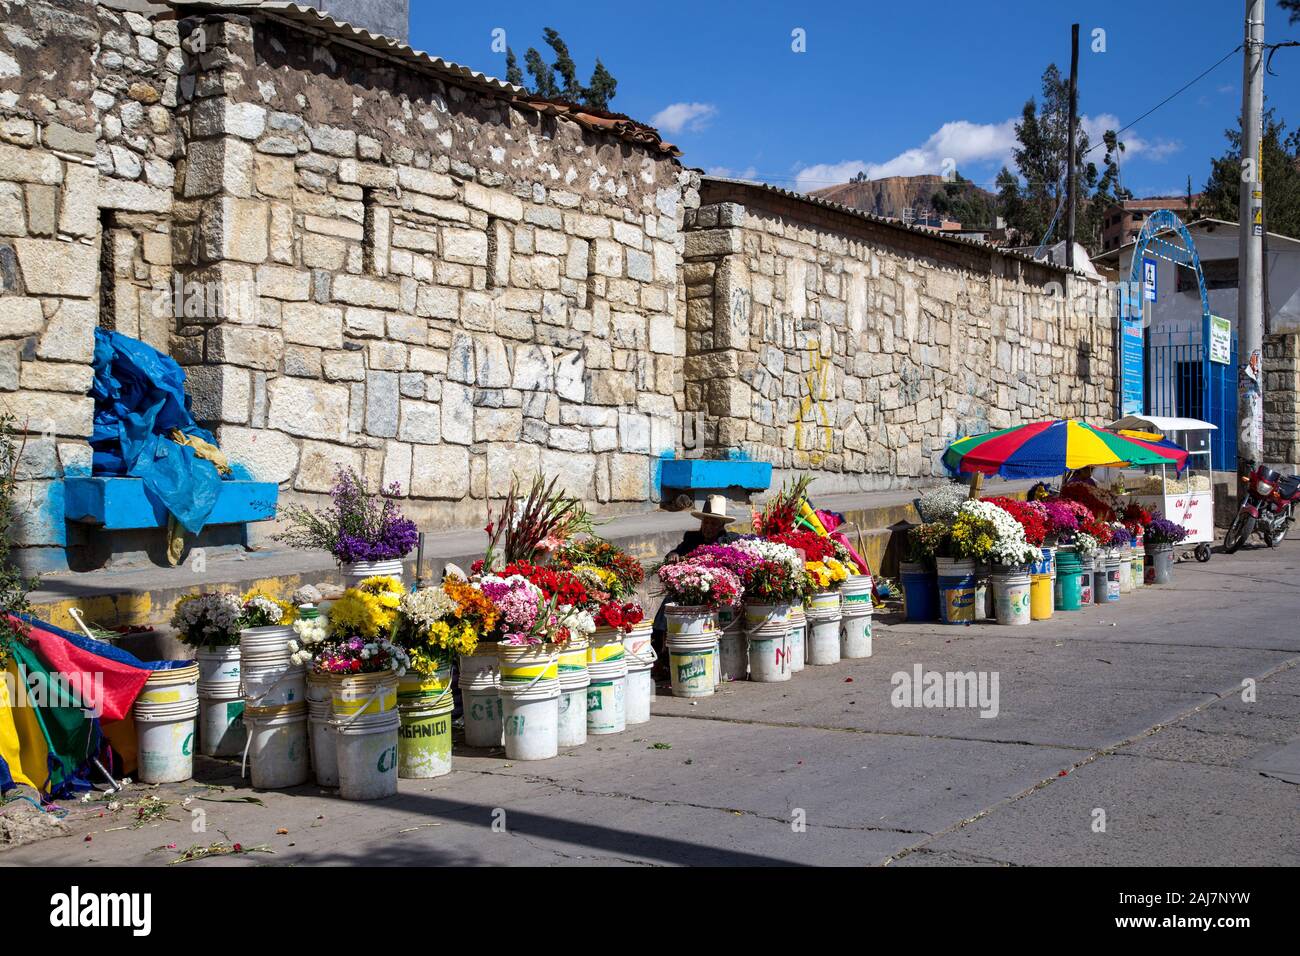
x: 1186, y: 499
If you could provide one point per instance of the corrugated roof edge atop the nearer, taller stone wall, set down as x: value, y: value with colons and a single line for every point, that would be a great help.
x: 313, y: 20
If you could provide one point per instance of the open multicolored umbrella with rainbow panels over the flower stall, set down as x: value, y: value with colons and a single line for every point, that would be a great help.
x: 1045, y: 449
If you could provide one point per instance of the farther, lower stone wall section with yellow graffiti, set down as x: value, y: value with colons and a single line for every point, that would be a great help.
x: 822, y: 340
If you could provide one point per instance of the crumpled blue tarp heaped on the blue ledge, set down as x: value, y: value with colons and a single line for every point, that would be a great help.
x: 140, y: 400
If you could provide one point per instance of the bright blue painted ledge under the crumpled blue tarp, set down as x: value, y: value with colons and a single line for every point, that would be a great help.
x: 123, y: 504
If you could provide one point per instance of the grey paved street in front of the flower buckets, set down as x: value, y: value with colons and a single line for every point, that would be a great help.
x: 1134, y: 711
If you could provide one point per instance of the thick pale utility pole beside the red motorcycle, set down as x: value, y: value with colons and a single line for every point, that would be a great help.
x: 1250, y: 296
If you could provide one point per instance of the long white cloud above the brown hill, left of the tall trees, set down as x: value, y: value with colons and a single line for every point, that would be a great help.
x: 957, y: 142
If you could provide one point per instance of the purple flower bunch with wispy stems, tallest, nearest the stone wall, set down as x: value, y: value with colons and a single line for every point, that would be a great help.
x: 358, y: 527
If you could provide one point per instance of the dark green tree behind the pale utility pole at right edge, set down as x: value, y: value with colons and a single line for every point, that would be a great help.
x: 1281, y: 178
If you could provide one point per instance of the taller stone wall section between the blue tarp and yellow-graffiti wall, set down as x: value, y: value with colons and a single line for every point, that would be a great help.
x: 448, y: 291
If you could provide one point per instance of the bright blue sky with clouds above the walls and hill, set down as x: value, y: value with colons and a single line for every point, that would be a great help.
x: 887, y: 88
